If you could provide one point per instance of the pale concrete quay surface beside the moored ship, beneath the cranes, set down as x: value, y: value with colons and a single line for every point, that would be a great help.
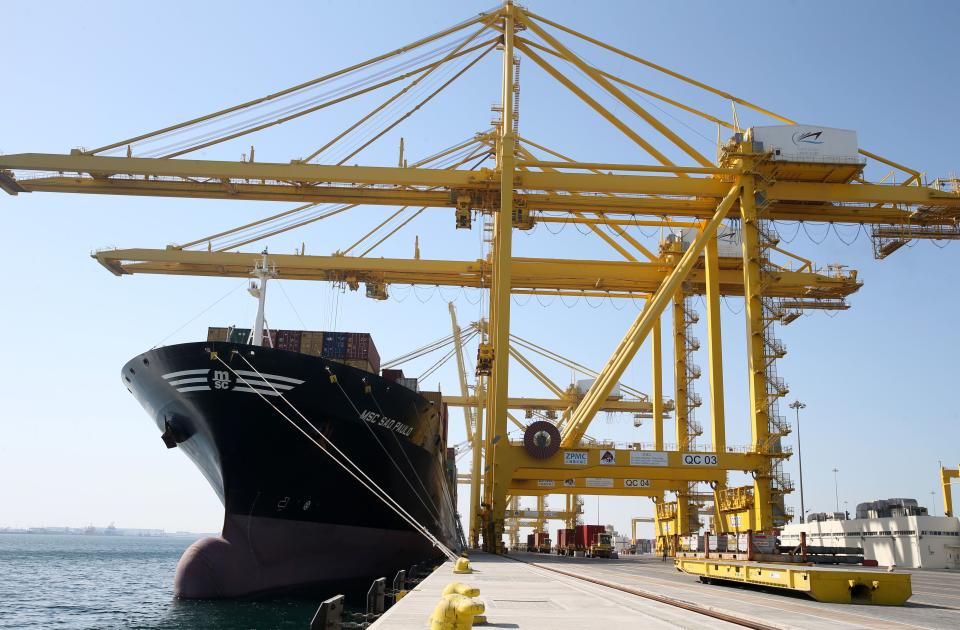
x: 527, y: 594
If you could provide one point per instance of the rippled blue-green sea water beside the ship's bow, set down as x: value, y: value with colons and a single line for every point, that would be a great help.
x: 54, y: 581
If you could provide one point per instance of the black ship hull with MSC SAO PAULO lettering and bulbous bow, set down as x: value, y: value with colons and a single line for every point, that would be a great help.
x: 294, y: 518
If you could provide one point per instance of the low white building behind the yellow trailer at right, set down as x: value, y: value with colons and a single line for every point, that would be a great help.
x: 921, y: 542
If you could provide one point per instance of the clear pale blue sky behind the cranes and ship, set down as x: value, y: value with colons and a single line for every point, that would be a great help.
x: 75, y: 448
